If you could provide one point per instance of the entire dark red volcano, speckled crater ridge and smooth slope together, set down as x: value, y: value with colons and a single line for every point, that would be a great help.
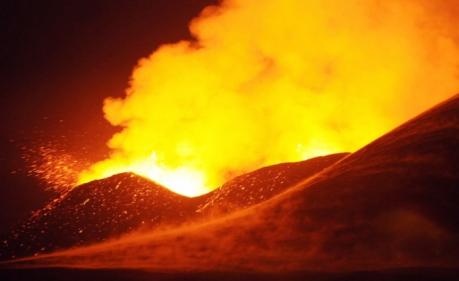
x: 392, y: 205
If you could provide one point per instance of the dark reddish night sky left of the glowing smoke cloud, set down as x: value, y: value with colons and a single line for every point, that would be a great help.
x: 59, y: 60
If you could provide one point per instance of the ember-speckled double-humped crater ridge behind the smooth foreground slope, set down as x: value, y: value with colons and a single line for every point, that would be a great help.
x: 107, y: 208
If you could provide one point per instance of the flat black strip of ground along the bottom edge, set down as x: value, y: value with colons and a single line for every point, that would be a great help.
x: 58, y: 274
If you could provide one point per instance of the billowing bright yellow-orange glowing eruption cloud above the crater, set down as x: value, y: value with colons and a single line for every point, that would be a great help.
x: 278, y: 81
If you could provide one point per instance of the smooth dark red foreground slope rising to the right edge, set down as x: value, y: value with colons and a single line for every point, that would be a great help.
x: 392, y: 204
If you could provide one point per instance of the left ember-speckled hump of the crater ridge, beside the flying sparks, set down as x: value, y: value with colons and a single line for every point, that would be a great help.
x: 96, y: 211
